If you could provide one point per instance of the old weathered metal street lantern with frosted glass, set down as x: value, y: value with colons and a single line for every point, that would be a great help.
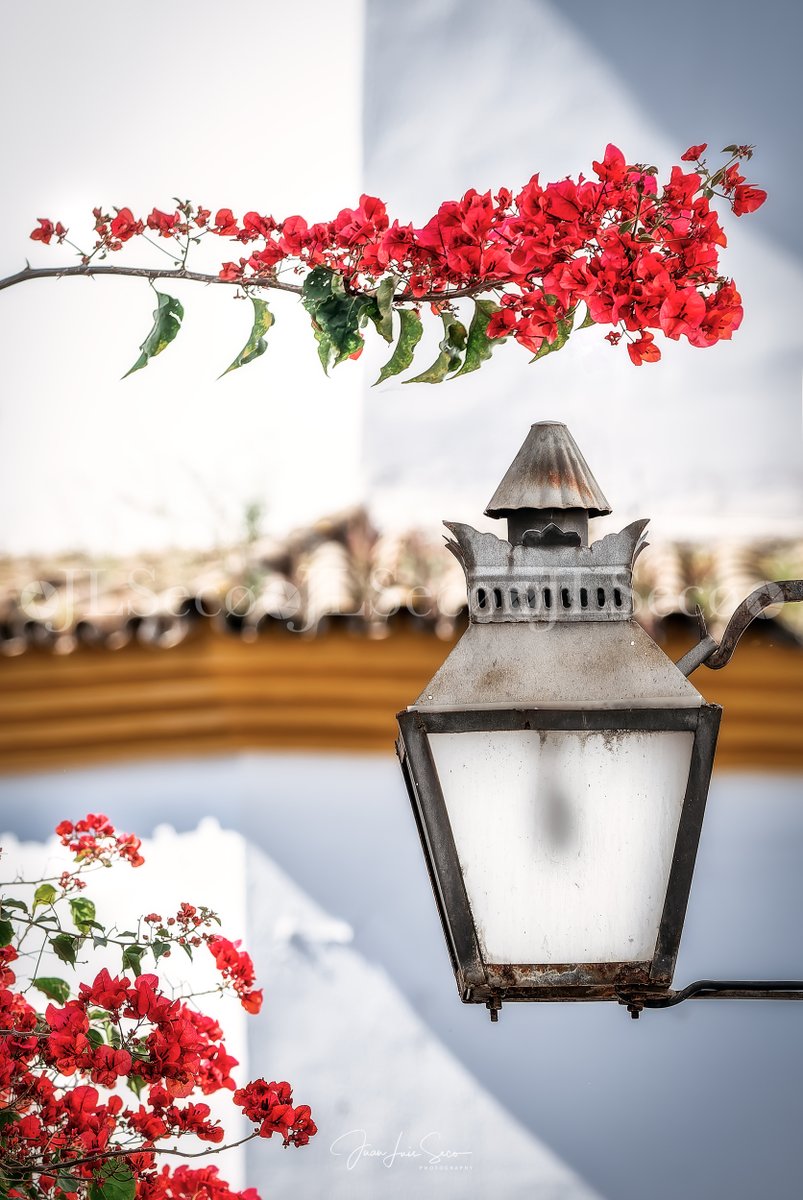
x: 559, y: 761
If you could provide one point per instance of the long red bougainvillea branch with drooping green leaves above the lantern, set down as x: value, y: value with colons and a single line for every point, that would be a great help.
x: 618, y: 251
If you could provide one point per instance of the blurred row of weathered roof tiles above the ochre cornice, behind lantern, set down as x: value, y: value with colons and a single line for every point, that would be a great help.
x: 339, y: 569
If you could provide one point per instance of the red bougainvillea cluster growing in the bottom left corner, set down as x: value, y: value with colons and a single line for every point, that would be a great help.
x: 68, y: 1051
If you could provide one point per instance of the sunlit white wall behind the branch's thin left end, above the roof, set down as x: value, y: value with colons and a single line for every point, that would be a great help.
x: 249, y: 106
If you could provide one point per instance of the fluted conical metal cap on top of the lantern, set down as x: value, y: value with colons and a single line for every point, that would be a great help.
x: 549, y: 472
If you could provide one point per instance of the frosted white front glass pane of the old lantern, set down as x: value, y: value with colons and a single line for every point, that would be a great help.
x: 566, y: 839
